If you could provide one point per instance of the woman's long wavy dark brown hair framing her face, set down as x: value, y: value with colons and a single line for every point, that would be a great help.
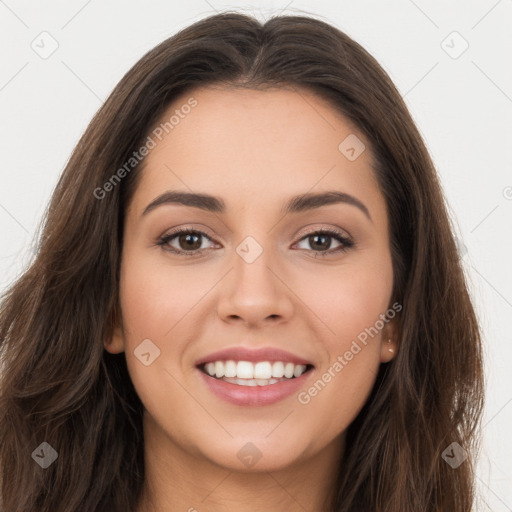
x: 59, y: 385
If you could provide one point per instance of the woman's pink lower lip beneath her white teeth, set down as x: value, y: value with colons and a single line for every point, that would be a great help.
x: 254, y: 395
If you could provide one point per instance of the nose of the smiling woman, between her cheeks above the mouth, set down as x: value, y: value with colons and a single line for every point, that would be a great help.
x: 255, y: 294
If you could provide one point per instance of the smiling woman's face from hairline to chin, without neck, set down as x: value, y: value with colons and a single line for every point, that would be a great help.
x: 255, y: 274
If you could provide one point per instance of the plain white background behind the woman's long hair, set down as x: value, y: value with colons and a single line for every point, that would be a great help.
x: 462, y: 106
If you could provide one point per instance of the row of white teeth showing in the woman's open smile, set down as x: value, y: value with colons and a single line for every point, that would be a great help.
x: 263, y: 371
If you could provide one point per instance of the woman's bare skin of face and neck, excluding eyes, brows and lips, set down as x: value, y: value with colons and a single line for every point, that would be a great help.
x: 253, y: 149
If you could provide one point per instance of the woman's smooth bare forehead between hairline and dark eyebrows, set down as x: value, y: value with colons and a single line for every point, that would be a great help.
x: 255, y: 146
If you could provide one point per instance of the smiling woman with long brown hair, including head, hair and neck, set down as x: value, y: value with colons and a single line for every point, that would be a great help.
x: 246, y: 296
